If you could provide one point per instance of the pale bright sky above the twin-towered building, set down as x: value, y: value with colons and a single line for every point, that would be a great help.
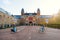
x: 47, y: 7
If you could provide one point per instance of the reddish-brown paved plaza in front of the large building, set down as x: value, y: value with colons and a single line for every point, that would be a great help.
x: 30, y: 33
